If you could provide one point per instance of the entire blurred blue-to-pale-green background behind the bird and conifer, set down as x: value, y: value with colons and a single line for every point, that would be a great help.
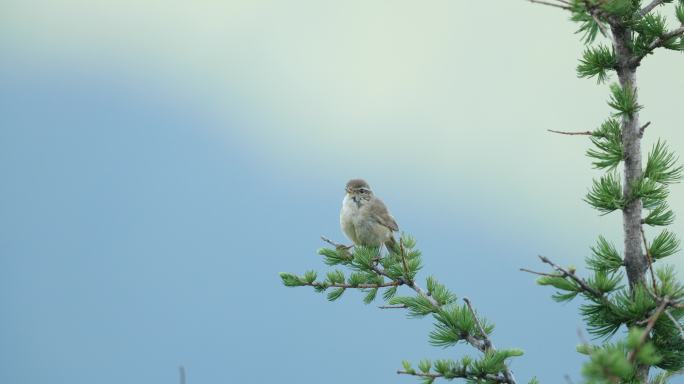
x: 162, y: 161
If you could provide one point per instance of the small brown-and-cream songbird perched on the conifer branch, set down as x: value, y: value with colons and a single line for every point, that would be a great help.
x: 364, y: 218
